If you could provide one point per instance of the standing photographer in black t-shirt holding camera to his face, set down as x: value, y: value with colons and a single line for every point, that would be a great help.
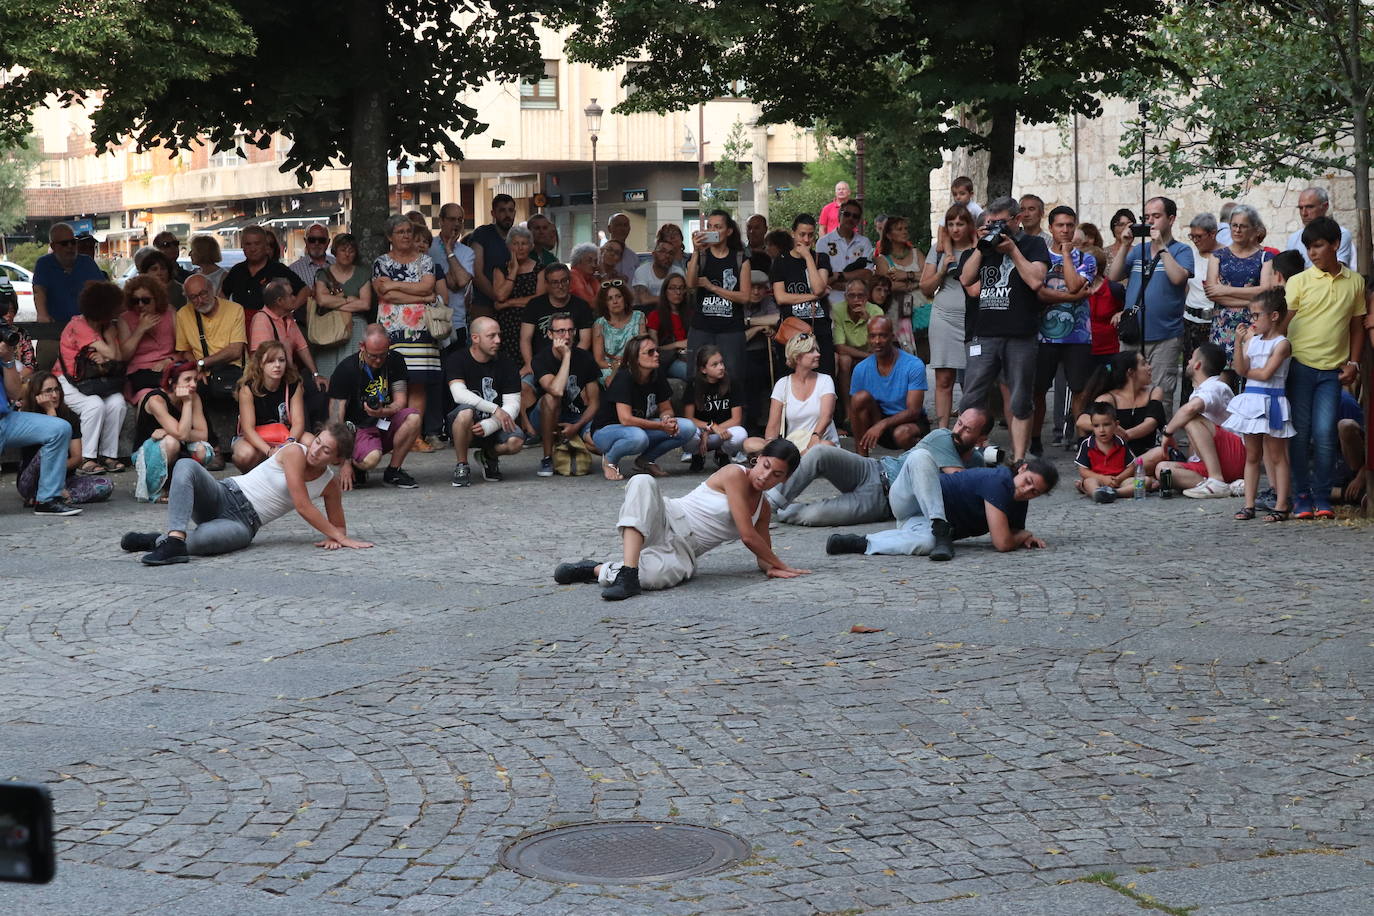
x: 1006, y: 282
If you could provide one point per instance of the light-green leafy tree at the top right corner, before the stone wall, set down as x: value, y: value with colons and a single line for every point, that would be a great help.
x: 1292, y: 100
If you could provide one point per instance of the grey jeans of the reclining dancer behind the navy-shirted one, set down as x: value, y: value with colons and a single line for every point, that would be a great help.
x: 864, y: 496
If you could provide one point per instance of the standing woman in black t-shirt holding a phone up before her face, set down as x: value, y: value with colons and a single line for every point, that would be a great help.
x: 719, y: 273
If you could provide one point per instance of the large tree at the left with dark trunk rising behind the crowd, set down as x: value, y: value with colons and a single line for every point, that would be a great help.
x: 361, y: 83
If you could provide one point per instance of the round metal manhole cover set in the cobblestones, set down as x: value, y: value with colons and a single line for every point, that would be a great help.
x: 623, y: 852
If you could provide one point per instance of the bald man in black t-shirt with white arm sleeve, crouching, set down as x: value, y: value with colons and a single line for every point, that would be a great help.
x: 486, y: 388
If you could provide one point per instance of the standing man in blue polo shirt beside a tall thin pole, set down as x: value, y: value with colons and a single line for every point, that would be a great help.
x: 1169, y: 264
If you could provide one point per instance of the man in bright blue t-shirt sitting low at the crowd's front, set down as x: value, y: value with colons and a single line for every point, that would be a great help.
x: 887, y: 395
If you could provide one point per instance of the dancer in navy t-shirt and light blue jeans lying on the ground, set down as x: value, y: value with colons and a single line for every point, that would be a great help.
x: 949, y: 507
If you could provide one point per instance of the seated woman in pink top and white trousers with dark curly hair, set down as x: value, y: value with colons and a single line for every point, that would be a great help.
x: 95, y: 333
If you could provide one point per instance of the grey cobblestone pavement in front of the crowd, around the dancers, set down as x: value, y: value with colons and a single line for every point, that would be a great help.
x: 304, y: 733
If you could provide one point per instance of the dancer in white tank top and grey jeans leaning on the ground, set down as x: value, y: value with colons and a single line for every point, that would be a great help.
x: 230, y: 513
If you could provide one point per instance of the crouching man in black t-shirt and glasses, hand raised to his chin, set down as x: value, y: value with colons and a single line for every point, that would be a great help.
x: 570, y: 385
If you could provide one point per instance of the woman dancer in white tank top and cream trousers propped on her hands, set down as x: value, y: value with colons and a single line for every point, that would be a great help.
x: 662, y: 539
